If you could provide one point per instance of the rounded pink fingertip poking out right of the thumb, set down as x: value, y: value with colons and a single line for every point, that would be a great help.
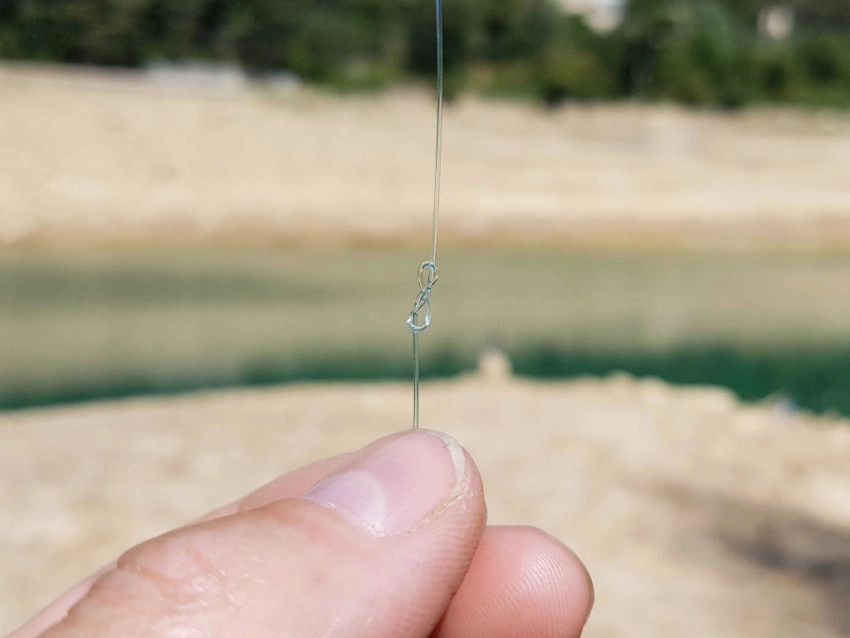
x: 521, y: 583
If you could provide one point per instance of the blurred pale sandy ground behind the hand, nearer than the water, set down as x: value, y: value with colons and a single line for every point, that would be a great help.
x: 696, y: 516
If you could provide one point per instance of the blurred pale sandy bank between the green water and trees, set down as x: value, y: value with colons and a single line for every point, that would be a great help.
x: 116, y: 154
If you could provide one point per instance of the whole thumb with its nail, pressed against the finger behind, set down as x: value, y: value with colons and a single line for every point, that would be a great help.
x: 377, y: 548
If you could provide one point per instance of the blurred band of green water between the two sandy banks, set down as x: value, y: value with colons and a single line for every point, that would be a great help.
x: 84, y: 325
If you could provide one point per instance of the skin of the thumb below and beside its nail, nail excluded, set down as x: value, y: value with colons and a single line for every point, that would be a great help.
x: 288, y: 568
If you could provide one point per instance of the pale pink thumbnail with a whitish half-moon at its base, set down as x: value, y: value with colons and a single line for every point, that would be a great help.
x: 392, y: 485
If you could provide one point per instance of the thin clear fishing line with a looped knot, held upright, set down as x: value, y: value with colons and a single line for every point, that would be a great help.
x: 420, y: 317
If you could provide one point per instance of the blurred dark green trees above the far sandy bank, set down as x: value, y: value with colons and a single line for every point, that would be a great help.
x: 703, y: 52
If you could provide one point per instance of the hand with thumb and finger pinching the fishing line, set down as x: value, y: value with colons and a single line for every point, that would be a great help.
x: 387, y: 541
